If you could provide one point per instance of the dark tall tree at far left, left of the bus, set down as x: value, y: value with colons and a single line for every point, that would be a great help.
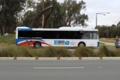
x: 9, y: 14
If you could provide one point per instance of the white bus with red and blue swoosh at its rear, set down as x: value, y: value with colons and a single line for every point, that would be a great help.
x: 63, y: 37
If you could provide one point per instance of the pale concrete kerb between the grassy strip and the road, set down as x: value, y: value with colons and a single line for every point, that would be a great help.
x: 61, y: 58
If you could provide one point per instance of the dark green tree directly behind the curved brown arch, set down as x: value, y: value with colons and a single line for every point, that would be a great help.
x: 55, y: 17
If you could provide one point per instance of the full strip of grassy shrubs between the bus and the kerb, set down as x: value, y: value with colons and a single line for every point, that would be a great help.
x: 23, y: 51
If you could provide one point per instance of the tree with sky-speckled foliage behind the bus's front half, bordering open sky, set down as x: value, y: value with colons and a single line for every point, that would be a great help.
x: 72, y: 13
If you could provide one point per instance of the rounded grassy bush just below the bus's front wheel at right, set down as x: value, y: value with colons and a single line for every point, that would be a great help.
x: 84, y: 52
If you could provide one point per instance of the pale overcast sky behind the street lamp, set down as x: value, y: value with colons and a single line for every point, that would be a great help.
x: 99, y: 6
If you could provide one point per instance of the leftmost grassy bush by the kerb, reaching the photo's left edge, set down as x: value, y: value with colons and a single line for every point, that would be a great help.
x: 17, y: 51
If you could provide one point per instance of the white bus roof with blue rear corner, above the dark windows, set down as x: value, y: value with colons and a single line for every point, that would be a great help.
x: 61, y: 28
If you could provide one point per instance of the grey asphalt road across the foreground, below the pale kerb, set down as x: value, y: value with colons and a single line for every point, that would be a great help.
x: 60, y: 70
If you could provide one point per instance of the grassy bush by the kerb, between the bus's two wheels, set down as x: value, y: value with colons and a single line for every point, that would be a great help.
x: 54, y: 52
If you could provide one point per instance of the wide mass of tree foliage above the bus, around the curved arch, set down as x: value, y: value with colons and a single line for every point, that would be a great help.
x: 63, y: 14
